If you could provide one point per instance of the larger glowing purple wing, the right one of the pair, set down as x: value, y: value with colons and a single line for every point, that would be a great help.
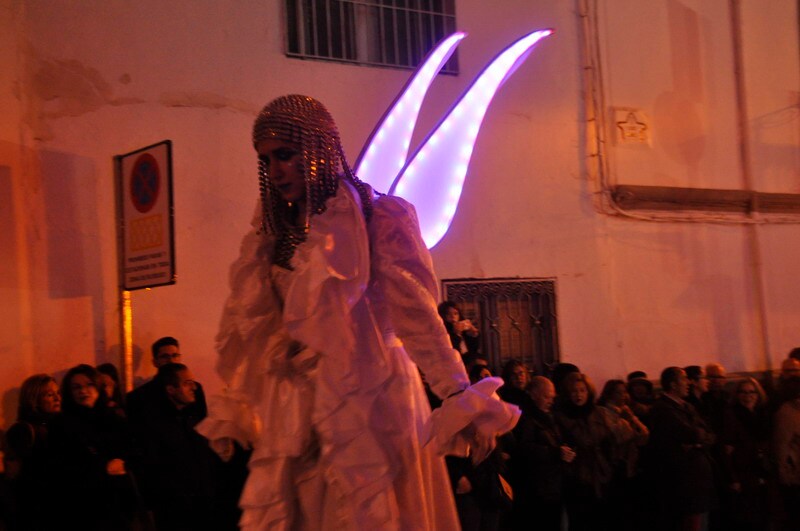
x: 434, y: 177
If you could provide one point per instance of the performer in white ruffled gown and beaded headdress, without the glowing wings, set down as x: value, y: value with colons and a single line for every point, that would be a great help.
x: 332, y: 309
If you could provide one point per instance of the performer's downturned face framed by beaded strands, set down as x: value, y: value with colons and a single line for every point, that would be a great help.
x: 284, y: 163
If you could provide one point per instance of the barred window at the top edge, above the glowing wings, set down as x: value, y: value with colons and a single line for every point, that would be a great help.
x: 397, y: 33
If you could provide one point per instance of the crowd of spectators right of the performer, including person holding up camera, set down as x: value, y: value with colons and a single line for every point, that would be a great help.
x: 692, y: 449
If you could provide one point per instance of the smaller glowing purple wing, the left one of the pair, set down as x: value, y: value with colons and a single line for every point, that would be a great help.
x: 386, y: 150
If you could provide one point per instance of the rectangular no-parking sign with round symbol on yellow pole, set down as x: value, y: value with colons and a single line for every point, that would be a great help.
x: 144, y: 195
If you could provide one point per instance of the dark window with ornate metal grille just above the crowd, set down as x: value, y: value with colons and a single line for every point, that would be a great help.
x: 516, y: 318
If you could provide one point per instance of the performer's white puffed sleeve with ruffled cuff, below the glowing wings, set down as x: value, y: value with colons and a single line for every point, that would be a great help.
x: 403, y: 271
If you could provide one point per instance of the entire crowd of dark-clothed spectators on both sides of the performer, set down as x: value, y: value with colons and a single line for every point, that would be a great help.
x: 692, y: 450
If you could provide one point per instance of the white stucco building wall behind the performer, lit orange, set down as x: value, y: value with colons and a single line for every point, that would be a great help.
x: 83, y: 81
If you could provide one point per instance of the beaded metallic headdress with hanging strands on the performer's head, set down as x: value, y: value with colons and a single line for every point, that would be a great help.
x: 303, y: 121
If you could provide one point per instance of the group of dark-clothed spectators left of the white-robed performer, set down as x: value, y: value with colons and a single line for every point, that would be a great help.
x: 83, y: 455
